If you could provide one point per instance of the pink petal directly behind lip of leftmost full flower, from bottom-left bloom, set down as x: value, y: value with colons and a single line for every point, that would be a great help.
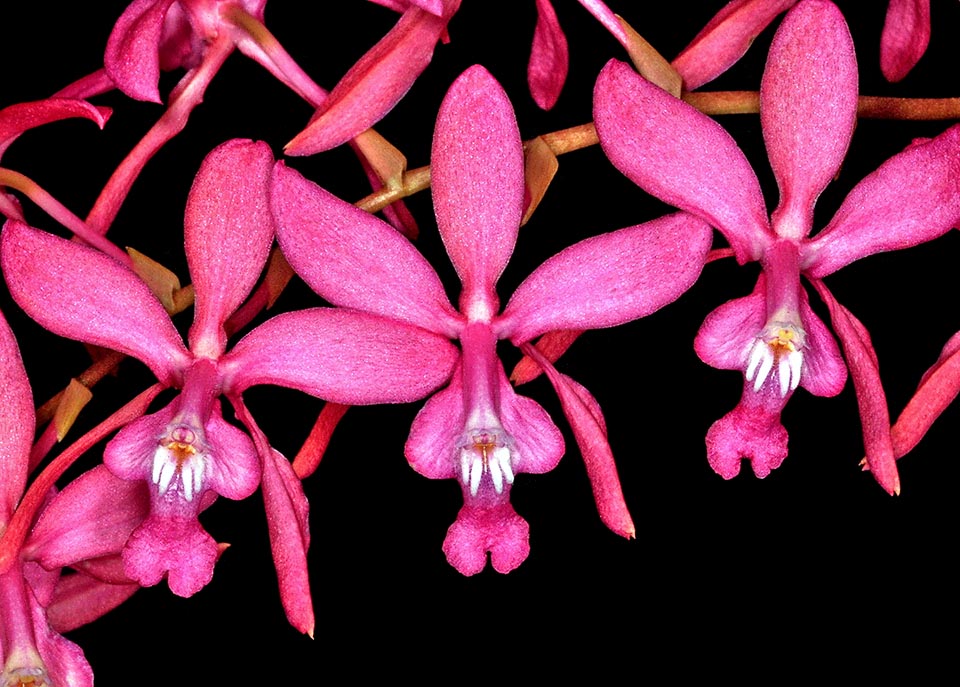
x: 92, y: 517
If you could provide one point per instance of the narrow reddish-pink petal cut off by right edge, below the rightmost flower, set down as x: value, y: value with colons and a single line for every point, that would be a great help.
x: 938, y: 388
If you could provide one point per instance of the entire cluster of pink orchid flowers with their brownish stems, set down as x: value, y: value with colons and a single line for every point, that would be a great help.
x: 86, y: 524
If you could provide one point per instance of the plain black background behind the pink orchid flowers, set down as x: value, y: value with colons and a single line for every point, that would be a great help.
x: 726, y: 568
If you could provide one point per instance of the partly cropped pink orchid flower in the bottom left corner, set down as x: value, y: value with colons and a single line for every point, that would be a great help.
x: 36, y: 601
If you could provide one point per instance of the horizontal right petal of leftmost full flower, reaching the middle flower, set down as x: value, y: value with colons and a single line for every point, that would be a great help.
x: 341, y: 356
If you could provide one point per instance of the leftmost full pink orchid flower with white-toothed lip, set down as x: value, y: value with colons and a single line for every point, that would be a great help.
x: 187, y: 453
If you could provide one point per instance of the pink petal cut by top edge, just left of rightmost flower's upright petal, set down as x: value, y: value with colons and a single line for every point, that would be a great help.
x: 725, y: 39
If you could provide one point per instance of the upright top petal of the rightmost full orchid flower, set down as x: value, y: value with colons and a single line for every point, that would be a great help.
x: 808, y: 108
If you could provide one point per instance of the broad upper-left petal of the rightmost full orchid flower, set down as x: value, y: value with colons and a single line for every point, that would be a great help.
x: 649, y: 135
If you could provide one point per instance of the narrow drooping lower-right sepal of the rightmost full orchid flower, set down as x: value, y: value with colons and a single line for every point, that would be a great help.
x: 871, y: 399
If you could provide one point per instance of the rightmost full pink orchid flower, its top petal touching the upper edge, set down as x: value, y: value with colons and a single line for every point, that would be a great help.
x: 808, y: 102
